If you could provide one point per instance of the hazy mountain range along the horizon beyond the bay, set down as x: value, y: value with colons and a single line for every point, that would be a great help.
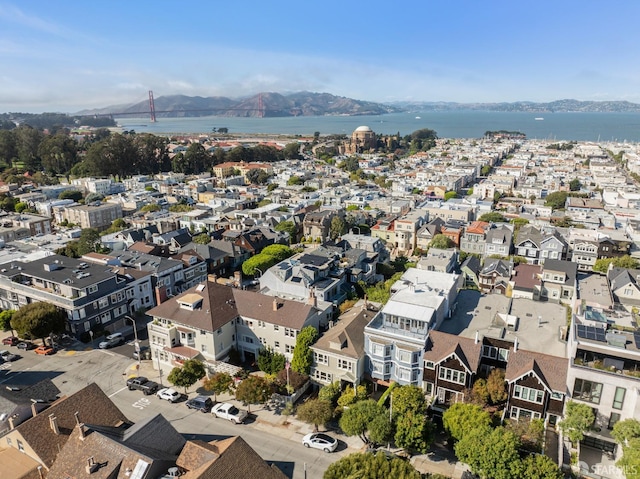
x: 321, y: 104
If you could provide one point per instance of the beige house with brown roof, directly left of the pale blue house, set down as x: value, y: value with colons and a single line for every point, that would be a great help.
x: 338, y: 355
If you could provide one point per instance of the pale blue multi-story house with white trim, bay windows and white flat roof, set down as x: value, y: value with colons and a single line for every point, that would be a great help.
x: 395, y: 338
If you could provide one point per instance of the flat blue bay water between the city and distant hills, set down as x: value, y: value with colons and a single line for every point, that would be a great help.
x: 603, y: 127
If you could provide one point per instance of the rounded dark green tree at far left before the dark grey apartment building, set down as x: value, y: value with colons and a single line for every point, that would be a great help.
x: 38, y: 320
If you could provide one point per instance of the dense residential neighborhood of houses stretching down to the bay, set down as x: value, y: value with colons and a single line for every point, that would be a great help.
x: 500, y: 274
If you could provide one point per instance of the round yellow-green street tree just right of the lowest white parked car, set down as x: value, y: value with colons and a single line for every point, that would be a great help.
x: 367, y: 420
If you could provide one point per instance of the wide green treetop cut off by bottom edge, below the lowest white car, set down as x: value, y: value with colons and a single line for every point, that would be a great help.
x: 370, y: 466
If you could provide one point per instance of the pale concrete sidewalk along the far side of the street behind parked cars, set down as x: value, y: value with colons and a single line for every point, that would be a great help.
x: 260, y: 418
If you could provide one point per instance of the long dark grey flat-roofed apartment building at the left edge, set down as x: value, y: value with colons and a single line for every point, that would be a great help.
x: 91, y: 295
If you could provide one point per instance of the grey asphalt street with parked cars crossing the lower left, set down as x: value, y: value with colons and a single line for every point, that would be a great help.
x: 70, y: 370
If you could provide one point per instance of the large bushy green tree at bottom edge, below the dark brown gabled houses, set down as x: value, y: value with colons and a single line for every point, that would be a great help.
x: 490, y: 452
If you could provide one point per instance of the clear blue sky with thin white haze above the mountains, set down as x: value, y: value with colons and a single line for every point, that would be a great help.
x: 70, y: 55
